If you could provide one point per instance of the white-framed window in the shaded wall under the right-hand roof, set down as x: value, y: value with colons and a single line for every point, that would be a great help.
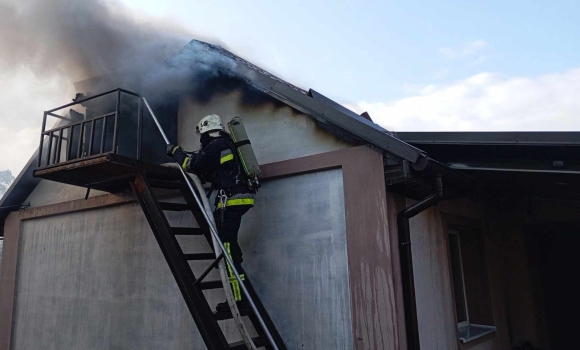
x: 472, y: 302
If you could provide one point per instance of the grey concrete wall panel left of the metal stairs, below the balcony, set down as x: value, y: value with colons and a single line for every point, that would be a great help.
x: 95, y: 280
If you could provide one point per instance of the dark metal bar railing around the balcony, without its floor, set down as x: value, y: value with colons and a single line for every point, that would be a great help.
x: 88, y: 137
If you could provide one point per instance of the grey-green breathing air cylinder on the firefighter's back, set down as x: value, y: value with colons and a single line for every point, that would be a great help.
x: 245, y: 151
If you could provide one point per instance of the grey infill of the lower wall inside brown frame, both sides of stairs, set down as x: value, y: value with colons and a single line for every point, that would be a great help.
x: 97, y: 279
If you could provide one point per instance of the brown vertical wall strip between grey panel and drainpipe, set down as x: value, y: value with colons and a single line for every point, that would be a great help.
x: 374, y: 313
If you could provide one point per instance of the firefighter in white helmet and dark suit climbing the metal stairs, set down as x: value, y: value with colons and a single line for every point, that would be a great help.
x: 218, y: 163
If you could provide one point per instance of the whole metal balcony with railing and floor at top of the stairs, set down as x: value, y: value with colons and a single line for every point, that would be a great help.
x: 96, y: 143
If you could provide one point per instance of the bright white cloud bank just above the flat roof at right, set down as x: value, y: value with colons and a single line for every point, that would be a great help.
x: 485, y: 102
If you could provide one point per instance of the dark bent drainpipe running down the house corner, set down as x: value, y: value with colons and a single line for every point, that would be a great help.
x: 406, y: 258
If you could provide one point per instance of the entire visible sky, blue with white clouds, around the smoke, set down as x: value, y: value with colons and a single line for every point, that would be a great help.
x: 412, y: 65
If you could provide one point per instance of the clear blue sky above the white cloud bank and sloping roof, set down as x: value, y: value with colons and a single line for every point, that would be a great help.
x: 373, y: 50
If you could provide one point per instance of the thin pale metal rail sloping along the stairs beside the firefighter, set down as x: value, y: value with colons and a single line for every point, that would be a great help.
x: 215, y: 235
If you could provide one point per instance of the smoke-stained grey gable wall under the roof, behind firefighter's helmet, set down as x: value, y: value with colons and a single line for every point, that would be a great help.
x: 277, y: 133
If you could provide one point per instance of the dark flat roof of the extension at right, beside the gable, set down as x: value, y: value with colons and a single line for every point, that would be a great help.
x: 529, y: 163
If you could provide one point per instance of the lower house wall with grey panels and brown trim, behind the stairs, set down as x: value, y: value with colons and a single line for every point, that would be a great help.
x: 353, y: 298
